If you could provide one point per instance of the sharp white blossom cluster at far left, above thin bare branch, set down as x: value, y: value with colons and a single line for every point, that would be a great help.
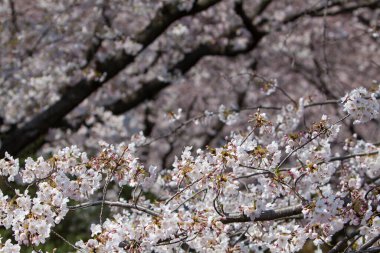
x: 68, y: 175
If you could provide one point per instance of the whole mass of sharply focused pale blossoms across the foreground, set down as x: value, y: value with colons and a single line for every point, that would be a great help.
x: 271, y: 186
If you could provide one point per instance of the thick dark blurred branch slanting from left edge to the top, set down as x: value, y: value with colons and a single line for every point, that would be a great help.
x: 109, y: 68
